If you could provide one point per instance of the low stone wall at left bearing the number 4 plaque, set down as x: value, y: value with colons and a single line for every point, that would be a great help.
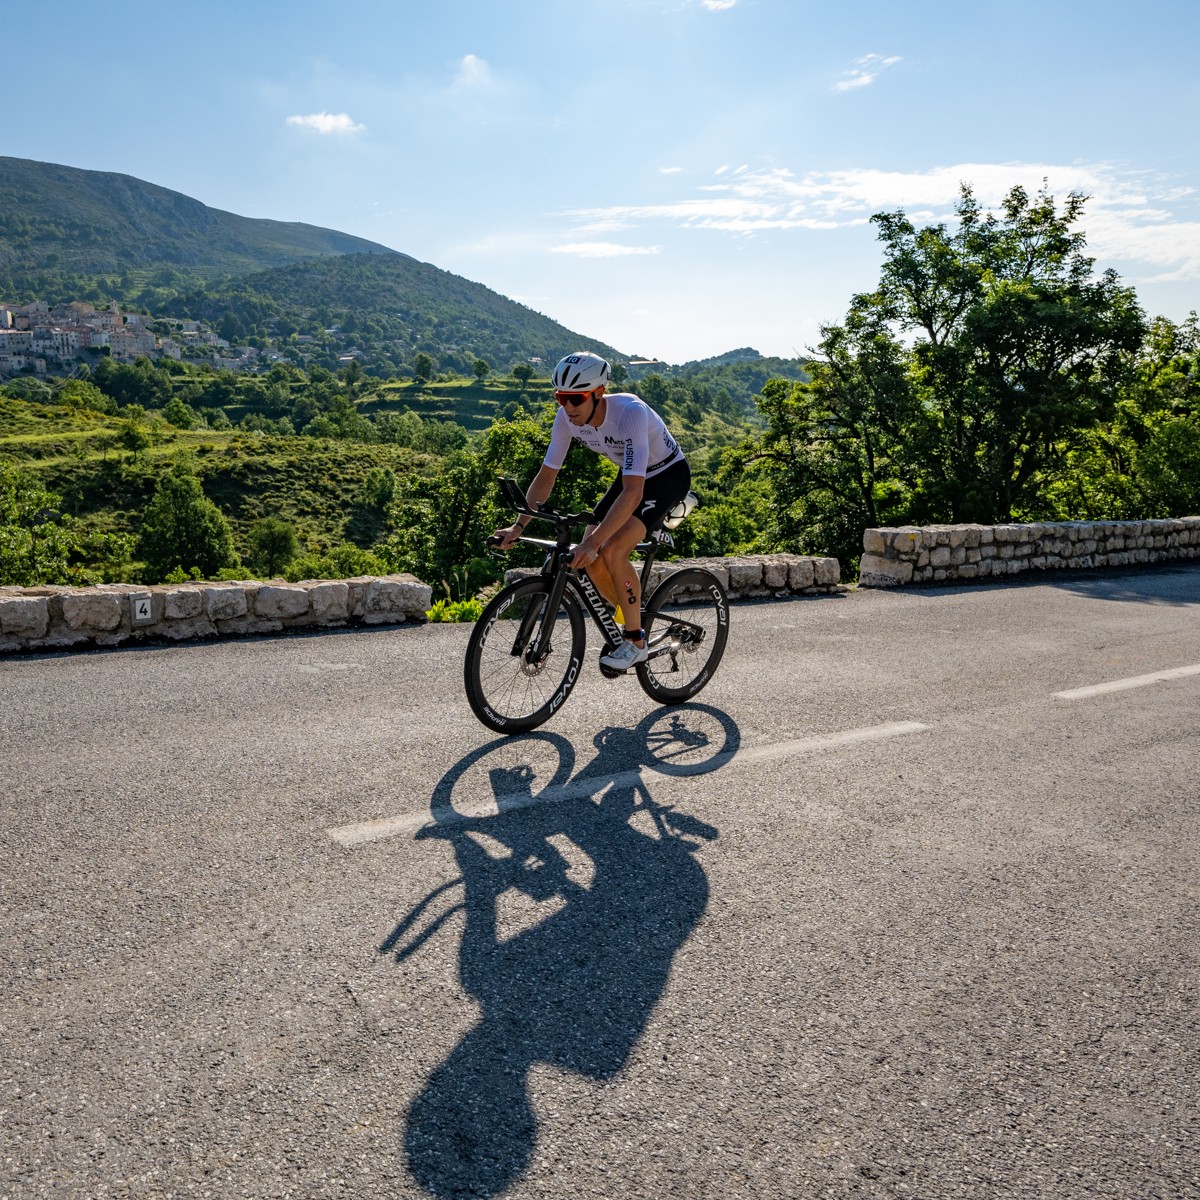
x: 111, y: 615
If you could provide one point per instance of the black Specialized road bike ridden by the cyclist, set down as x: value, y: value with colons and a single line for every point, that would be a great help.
x: 526, y: 651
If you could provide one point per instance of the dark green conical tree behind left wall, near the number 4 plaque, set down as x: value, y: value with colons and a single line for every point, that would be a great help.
x: 183, y: 529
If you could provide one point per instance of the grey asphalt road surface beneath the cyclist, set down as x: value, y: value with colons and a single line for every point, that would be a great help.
x: 904, y: 905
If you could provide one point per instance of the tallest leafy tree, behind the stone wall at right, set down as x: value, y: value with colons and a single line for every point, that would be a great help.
x: 1016, y: 346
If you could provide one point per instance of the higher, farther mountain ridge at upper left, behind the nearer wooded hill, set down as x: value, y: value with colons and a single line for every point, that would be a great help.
x: 97, y: 223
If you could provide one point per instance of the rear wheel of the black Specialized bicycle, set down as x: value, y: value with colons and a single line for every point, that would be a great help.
x: 689, y: 614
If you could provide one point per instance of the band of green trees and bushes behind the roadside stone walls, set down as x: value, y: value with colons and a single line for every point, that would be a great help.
x: 993, y: 375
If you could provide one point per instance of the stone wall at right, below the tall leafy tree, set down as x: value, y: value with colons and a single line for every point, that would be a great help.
x: 945, y: 554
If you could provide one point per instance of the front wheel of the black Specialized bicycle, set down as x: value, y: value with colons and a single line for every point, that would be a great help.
x: 523, y: 661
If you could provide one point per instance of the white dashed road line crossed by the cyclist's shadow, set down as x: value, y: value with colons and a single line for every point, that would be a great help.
x: 591, y: 785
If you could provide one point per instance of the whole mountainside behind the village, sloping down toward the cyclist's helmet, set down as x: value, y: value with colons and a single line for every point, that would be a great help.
x: 71, y: 235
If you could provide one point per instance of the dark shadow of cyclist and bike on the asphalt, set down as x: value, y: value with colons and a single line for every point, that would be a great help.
x: 610, y: 890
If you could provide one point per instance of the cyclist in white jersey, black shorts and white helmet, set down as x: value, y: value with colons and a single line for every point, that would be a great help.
x: 653, y: 477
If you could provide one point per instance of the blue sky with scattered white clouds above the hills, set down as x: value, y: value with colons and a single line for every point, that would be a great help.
x: 673, y: 178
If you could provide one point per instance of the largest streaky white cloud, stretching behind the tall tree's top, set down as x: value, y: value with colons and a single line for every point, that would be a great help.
x: 1131, y: 218
